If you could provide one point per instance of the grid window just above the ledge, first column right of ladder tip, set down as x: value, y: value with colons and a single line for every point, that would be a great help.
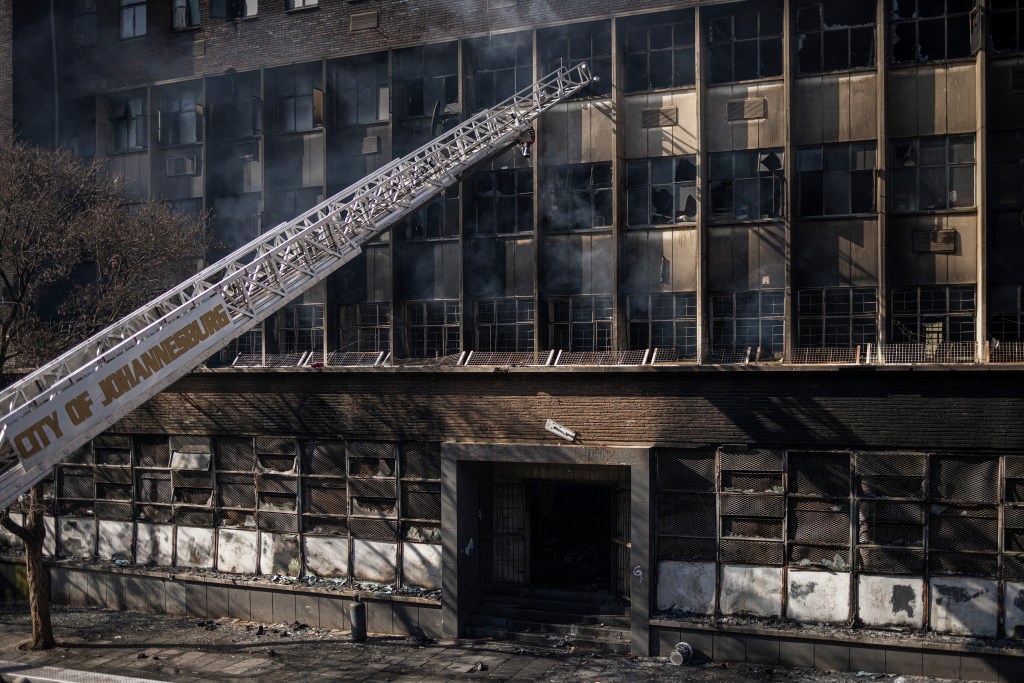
x: 666, y: 322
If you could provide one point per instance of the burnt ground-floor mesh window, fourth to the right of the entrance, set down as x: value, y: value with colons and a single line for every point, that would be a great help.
x: 891, y: 507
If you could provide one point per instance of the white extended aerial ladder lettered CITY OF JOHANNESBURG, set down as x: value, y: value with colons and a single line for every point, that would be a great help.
x: 57, y: 409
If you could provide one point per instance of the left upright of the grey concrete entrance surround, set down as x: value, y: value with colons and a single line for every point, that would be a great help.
x: 460, y: 544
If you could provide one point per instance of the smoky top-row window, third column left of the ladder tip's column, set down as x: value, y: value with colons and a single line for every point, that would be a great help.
x: 360, y: 91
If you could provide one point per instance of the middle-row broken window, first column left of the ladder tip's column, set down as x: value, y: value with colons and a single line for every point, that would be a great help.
x: 501, y: 202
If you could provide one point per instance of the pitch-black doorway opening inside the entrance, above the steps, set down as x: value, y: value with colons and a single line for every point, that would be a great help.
x: 571, y: 536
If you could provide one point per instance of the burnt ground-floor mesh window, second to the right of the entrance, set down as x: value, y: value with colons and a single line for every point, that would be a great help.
x: 752, y: 505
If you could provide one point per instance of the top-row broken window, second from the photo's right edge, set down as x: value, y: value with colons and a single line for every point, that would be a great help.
x: 931, y: 30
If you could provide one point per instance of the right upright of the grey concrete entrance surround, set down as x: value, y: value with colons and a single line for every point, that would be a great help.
x: 642, y: 570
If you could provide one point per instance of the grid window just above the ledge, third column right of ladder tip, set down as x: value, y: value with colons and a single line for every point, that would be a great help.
x: 840, y: 318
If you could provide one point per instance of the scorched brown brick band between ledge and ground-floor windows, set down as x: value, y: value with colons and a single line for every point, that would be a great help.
x: 963, y: 411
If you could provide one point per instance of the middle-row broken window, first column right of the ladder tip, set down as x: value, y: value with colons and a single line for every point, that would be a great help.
x: 661, y: 192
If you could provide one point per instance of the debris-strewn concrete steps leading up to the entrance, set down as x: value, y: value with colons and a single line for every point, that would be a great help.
x: 591, y: 623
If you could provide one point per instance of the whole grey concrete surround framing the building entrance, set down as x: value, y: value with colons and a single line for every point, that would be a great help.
x: 462, y: 474
